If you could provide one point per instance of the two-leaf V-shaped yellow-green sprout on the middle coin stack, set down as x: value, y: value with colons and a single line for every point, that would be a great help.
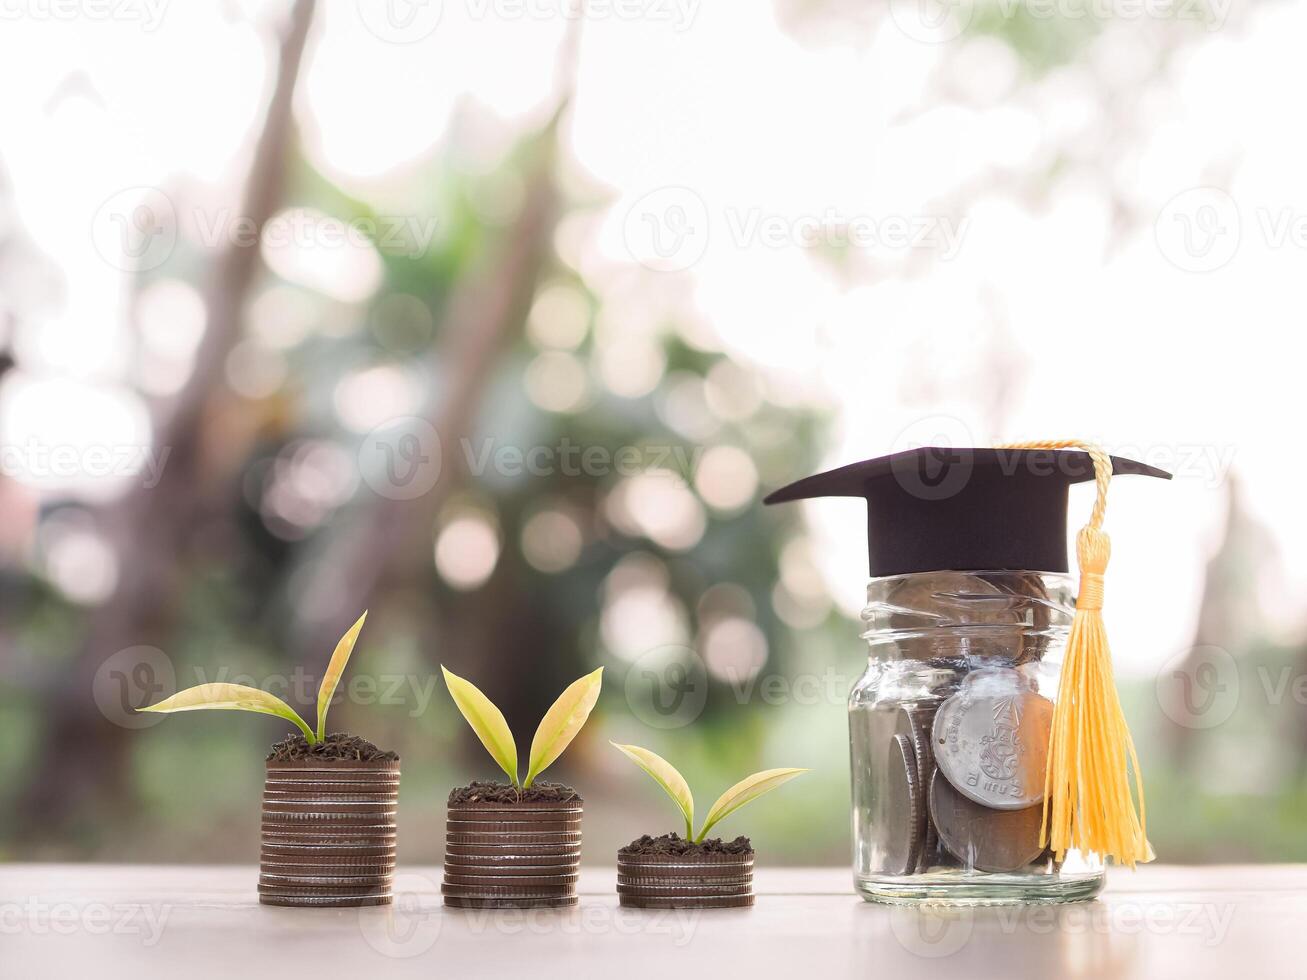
x: 560, y: 726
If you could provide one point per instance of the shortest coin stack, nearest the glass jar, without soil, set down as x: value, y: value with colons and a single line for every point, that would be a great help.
x: 686, y: 881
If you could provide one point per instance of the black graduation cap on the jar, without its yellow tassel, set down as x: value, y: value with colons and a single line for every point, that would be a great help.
x: 969, y: 510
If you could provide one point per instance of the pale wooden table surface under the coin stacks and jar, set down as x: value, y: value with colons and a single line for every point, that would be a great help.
x: 198, y: 922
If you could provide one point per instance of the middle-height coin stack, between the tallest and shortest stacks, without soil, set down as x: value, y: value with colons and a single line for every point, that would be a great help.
x: 512, y: 855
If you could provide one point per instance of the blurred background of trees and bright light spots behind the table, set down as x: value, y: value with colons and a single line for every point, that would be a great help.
x: 408, y: 323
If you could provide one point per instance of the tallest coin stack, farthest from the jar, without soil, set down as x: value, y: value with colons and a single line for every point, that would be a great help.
x: 329, y: 833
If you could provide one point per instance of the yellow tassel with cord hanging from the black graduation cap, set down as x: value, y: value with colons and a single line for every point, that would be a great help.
x: 1088, y: 804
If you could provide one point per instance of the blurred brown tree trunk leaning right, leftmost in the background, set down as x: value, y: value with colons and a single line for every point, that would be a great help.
x: 83, y: 757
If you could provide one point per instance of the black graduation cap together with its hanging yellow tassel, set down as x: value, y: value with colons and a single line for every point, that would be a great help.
x: 977, y: 510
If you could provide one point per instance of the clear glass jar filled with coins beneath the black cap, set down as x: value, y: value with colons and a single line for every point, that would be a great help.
x: 948, y: 739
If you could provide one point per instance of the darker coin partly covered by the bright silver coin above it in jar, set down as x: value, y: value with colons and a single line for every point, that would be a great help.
x: 985, y: 840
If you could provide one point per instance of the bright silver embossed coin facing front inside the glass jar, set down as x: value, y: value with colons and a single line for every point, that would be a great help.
x: 991, y: 740
